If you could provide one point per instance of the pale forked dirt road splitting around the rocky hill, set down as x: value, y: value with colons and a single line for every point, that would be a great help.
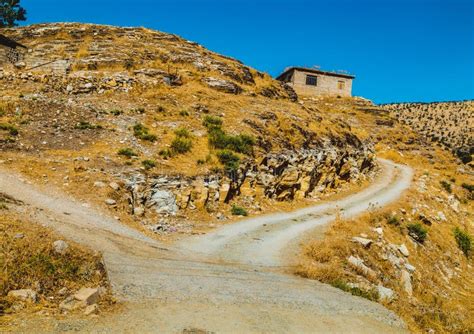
x: 228, y: 281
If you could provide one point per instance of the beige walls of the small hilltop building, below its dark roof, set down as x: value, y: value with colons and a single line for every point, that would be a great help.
x: 326, y: 84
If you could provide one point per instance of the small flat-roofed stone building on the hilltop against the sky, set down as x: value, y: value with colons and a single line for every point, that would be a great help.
x: 309, y: 81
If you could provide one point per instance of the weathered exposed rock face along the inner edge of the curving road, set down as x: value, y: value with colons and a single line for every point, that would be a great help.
x: 285, y: 176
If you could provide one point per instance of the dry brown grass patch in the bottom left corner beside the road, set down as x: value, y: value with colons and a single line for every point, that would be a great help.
x: 28, y: 261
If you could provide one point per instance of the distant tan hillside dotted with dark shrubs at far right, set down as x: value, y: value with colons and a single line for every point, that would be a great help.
x: 449, y: 123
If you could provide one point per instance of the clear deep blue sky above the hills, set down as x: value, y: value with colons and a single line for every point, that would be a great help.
x: 400, y: 50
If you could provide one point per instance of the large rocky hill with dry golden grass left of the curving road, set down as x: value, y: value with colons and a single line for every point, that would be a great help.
x: 166, y: 132
